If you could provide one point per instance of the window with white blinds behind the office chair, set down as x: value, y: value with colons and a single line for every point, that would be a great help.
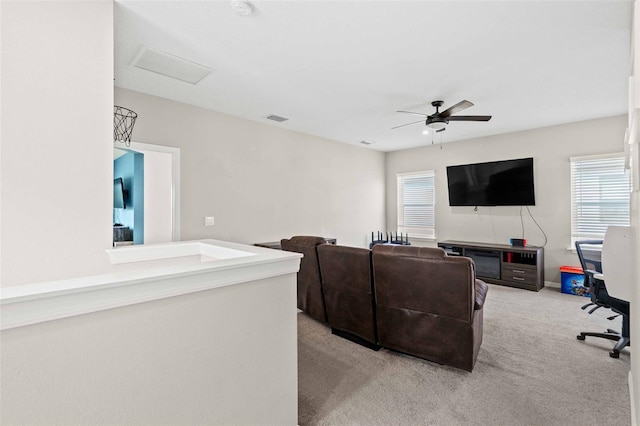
x: 600, y: 195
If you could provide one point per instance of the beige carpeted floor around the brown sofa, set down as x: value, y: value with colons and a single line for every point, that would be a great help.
x: 531, y: 370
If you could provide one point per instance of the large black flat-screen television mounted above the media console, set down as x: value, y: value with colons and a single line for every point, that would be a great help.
x: 495, y: 183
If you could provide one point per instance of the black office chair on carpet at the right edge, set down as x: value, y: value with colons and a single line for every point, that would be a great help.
x: 589, y: 253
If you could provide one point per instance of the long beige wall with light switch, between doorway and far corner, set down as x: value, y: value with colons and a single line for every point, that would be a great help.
x: 260, y: 182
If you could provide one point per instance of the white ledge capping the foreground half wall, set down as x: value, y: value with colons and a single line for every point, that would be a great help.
x: 143, y: 273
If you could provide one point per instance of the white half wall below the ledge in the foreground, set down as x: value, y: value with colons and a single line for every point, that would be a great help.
x: 222, y: 356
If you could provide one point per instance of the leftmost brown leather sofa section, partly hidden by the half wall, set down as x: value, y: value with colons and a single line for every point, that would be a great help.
x: 310, y: 297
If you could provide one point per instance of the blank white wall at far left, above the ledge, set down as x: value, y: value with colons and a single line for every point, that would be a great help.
x: 57, y: 166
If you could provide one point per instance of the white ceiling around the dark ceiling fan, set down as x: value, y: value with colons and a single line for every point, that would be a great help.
x: 341, y: 69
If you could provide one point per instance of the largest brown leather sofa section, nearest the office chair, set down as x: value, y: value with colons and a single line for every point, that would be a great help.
x: 428, y: 304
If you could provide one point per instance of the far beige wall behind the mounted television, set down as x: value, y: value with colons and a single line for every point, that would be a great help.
x: 550, y: 147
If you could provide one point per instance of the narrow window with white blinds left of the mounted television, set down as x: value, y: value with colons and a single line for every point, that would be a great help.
x: 416, y: 204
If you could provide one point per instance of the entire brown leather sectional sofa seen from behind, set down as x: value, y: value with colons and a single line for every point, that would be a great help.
x: 415, y: 300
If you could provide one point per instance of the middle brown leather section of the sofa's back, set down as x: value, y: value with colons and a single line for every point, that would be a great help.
x: 347, y: 283
